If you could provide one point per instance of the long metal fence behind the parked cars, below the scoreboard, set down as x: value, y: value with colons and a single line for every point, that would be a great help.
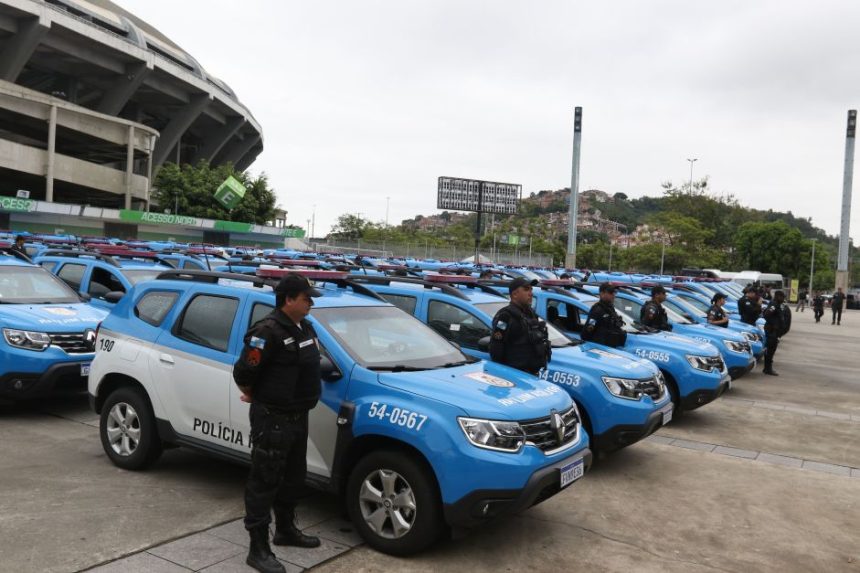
x: 502, y: 255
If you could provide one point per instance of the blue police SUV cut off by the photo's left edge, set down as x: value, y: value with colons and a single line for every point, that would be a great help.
x: 48, y: 333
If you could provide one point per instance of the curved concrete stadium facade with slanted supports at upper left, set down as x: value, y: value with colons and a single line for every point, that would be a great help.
x: 93, y: 101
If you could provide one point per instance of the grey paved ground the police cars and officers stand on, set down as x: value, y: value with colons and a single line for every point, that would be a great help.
x: 766, y: 479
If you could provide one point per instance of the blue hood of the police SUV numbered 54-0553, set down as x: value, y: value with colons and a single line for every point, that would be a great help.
x: 601, y: 361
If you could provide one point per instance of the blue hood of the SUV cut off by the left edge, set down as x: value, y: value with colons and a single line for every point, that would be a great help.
x: 51, y: 317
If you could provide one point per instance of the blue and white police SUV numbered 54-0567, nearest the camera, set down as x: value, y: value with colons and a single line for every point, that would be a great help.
x: 417, y: 435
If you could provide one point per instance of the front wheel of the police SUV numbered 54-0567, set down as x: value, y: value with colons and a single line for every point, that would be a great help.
x: 409, y: 481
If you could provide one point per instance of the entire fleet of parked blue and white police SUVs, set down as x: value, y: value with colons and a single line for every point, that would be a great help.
x: 416, y: 428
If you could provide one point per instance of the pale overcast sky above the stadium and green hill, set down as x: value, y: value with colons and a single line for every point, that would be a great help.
x: 363, y: 100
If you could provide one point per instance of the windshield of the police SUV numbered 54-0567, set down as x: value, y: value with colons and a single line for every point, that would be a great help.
x: 386, y: 338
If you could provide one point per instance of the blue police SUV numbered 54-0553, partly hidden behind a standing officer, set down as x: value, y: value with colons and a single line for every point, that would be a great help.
x: 620, y: 397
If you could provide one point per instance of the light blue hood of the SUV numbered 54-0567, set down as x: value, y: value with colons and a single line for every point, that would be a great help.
x: 484, y: 390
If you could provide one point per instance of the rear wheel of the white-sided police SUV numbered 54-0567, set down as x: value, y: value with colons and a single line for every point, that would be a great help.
x: 127, y: 430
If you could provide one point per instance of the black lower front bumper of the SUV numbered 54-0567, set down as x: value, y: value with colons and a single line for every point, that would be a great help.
x: 485, y: 504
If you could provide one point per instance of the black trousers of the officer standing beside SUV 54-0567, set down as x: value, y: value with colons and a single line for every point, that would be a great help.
x: 278, y: 465
